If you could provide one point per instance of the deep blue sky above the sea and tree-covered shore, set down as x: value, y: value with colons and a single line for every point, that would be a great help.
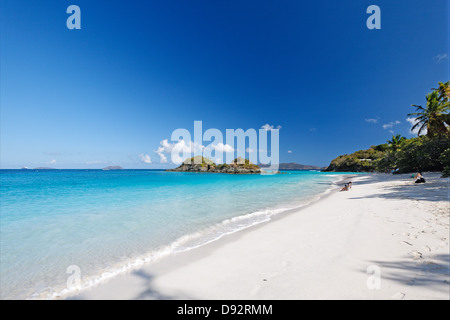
x: 108, y: 94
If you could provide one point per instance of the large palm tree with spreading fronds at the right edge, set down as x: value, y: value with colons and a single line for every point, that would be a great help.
x: 433, y: 117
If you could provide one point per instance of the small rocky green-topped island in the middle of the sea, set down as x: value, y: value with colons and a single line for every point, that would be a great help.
x: 202, y: 164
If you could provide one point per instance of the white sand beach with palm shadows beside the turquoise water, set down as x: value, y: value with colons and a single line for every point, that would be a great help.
x: 385, y: 224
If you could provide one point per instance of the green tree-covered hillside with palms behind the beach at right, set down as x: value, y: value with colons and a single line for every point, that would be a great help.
x: 428, y: 152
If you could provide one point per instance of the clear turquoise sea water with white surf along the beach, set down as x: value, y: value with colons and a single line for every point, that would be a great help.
x: 106, y: 222
